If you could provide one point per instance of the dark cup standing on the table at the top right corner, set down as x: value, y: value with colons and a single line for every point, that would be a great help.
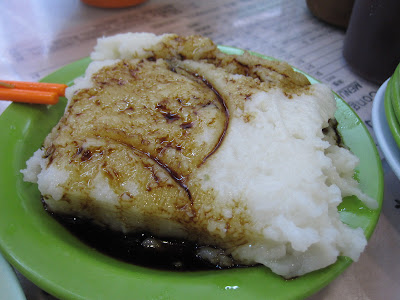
x: 372, y: 41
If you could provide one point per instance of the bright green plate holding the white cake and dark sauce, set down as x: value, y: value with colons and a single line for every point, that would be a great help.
x: 47, y: 254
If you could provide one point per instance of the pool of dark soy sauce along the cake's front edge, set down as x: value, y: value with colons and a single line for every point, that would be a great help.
x: 141, y: 249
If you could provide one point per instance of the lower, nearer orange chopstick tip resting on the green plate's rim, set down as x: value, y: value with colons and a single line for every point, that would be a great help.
x: 28, y: 96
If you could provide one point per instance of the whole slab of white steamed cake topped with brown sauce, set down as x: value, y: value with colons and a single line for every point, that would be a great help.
x: 166, y: 134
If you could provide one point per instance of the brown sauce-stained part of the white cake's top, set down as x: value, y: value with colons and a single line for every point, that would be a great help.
x: 156, y: 119
